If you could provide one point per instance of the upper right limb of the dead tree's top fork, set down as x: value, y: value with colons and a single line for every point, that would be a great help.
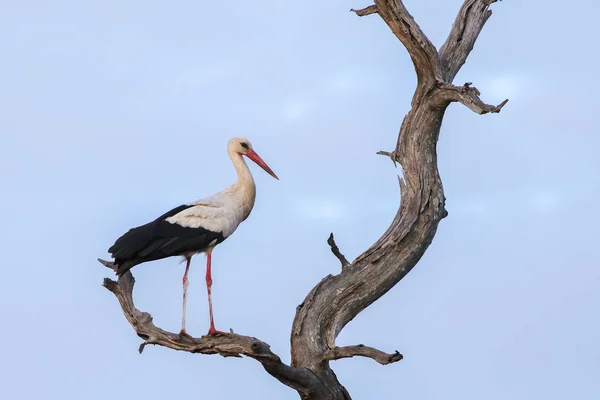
x: 466, y: 28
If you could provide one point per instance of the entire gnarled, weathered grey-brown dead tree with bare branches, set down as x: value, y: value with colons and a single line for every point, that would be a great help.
x: 337, y: 299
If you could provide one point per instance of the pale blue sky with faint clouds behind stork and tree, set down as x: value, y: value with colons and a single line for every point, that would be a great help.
x: 112, y: 112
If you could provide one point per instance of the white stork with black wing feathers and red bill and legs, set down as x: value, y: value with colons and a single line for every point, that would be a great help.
x: 196, y: 227
